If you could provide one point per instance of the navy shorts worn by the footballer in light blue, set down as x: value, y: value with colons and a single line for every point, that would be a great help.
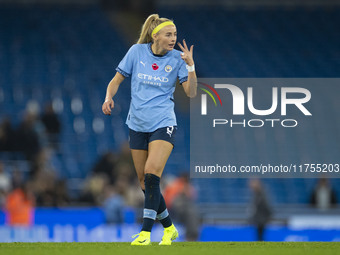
x: 141, y: 140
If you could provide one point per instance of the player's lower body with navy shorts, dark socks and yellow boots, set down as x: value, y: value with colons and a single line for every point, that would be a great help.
x: 160, y: 151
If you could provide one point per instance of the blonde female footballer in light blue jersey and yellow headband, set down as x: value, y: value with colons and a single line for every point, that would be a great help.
x: 154, y: 66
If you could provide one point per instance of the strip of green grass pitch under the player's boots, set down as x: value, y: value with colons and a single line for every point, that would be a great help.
x: 178, y: 248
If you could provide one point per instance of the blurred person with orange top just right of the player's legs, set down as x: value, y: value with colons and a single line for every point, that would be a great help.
x: 179, y: 196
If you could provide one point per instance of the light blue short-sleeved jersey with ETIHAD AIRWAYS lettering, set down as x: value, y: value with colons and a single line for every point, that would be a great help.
x: 153, y: 81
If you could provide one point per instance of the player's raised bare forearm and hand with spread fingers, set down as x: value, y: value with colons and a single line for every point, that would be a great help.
x: 189, y: 86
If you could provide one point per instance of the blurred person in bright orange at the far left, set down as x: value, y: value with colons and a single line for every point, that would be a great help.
x: 20, y: 206
